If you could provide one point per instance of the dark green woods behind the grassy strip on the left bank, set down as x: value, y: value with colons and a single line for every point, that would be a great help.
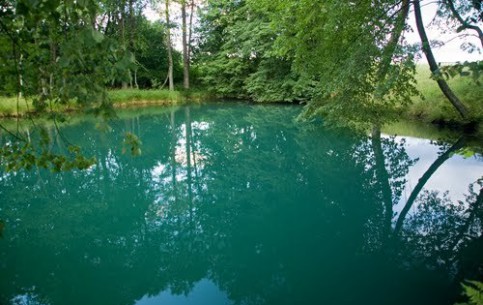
x: 106, y: 43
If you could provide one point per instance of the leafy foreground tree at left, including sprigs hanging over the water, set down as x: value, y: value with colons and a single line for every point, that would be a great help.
x: 57, y: 56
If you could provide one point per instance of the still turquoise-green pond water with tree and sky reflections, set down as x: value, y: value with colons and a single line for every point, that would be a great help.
x: 240, y: 205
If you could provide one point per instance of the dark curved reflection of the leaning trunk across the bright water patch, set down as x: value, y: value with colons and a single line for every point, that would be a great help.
x: 422, y: 181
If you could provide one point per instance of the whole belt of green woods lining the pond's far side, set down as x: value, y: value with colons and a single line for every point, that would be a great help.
x: 349, y: 63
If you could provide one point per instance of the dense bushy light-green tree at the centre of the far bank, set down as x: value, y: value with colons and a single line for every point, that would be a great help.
x: 237, y: 57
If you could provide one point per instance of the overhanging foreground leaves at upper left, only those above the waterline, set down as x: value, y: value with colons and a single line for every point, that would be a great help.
x: 56, y: 54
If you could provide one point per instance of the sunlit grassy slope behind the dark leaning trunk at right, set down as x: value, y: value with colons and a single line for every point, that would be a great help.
x: 435, y: 107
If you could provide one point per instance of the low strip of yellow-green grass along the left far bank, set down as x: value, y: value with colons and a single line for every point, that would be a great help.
x: 122, y: 98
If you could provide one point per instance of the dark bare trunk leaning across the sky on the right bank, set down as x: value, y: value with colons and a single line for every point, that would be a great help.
x: 433, y: 66
